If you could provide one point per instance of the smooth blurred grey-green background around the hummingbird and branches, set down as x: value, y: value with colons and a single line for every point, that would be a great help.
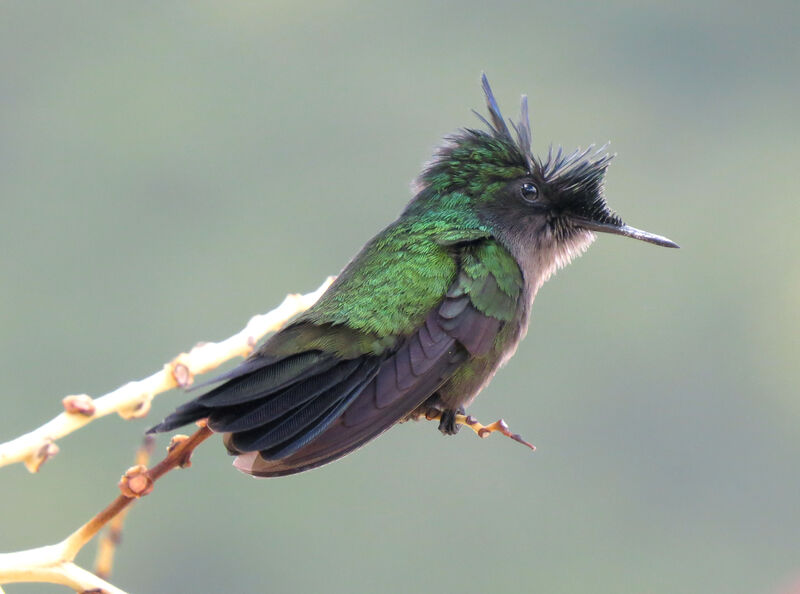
x: 169, y: 169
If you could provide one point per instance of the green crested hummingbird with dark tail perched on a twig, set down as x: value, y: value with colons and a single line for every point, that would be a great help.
x: 425, y: 314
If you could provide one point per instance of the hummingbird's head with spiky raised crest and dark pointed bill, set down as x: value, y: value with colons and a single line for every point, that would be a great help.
x: 551, y: 205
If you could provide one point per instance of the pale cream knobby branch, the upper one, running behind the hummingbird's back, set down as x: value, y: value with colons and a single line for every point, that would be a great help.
x: 133, y: 399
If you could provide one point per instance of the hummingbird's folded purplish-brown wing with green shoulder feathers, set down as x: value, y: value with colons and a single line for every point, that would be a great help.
x: 482, y: 298
